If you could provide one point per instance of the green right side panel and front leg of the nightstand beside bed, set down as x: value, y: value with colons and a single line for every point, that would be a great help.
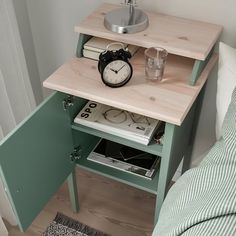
x: 175, y: 147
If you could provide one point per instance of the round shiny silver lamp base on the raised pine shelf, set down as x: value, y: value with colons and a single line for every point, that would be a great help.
x: 126, y: 20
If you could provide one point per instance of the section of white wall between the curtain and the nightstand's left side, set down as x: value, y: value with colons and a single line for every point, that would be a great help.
x: 52, y: 24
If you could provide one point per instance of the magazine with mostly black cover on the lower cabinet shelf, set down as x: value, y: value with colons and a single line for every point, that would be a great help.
x: 110, y: 154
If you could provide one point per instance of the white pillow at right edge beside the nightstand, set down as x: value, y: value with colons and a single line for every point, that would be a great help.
x: 225, y: 84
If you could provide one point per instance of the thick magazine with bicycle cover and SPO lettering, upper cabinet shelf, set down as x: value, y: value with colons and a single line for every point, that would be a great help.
x: 118, y: 122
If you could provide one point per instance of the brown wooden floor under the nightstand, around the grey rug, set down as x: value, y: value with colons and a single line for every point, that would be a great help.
x: 106, y: 205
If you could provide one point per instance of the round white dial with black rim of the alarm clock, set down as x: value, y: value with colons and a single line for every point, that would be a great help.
x: 117, y: 73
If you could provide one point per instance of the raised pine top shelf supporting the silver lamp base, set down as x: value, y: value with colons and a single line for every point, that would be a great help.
x: 177, y: 35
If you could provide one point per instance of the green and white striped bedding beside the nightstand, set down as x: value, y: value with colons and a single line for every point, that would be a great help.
x: 203, y: 201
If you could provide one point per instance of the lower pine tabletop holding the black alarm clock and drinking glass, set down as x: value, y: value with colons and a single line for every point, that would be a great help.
x: 168, y: 100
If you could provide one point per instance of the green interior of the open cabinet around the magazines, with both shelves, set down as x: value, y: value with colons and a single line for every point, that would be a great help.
x: 81, y: 134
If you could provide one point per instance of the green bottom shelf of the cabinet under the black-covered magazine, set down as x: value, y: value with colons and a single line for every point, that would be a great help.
x: 120, y: 176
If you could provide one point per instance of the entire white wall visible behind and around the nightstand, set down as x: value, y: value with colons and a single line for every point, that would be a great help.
x: 52, y: 23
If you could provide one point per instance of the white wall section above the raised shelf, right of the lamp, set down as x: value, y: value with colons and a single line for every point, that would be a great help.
x: 214, y: 11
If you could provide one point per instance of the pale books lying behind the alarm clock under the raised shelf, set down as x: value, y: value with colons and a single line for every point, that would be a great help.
x: 95, y: 46
